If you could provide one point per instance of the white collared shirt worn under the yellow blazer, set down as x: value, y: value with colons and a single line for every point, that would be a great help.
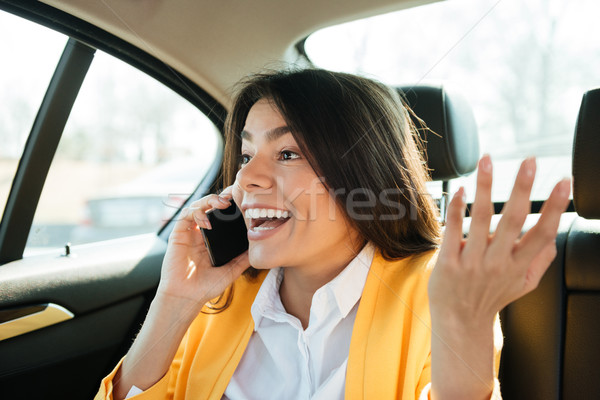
x: 284, y: 361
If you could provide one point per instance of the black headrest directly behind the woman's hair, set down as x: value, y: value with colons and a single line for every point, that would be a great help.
x: 455, y: 151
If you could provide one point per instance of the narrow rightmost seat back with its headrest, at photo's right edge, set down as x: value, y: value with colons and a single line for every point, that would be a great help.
x: 581, y: 373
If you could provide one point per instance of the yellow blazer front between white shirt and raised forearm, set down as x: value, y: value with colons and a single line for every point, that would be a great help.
x: 390, y: 343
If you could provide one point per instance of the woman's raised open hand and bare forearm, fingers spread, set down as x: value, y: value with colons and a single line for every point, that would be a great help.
x: 475, y: 278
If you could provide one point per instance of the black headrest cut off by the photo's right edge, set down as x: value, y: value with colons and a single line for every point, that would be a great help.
x: 586, y: 157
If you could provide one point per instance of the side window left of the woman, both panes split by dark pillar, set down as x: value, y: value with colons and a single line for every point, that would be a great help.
x: 131, y: 153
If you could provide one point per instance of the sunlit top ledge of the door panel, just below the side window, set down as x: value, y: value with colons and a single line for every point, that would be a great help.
x: 91, y: 277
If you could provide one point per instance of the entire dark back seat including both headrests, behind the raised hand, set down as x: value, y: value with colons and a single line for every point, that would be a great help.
x: 551, y: 335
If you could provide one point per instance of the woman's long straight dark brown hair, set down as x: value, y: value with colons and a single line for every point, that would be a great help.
x: 357, y: 135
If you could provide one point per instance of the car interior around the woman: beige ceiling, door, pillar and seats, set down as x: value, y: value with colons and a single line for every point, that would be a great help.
x: 68, y: 315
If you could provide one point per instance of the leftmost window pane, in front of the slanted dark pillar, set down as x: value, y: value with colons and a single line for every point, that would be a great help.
x: 30, y: 54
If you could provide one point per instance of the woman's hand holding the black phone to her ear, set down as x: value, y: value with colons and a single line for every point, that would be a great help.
x: 187, y: 273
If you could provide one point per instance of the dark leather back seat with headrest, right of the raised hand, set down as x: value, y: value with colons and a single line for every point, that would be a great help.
x: 552, y: 335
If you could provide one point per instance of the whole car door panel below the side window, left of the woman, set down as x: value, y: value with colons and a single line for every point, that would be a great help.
x: 107, y: 286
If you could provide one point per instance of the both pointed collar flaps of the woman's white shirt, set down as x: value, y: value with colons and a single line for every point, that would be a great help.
x: 346, y: 288
